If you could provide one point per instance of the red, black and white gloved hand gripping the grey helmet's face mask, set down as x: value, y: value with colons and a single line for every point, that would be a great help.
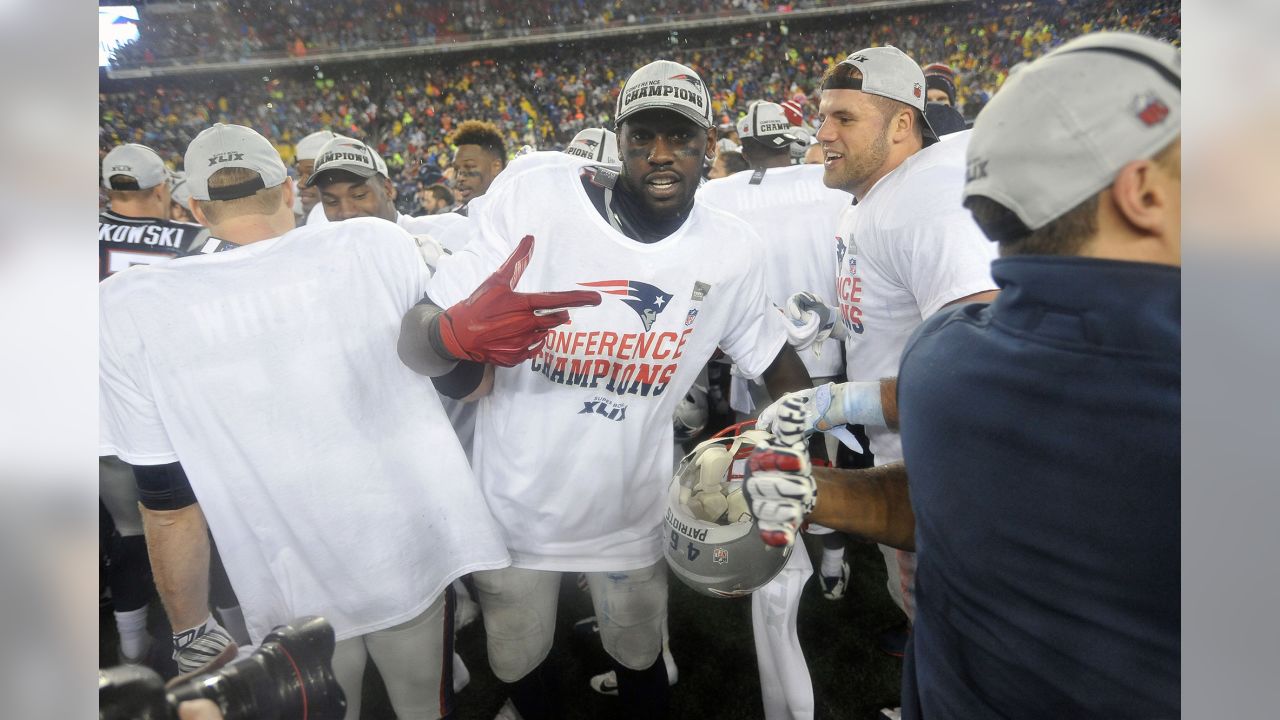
x: 780, y: 489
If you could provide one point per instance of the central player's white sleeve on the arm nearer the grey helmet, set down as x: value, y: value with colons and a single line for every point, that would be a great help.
x: 758, y: 332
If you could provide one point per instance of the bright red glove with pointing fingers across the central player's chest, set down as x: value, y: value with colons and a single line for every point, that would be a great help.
x: 501, y: 326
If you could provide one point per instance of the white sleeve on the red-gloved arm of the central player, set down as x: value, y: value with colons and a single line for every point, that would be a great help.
x: 490, y: 245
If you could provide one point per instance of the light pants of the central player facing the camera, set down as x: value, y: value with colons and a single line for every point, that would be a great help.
x: 519, y: 610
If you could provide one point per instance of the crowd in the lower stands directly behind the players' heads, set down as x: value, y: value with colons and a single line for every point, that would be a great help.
x: 548, y: 95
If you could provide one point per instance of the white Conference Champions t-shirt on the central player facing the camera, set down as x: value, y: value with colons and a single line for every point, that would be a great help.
x: 574, y: 448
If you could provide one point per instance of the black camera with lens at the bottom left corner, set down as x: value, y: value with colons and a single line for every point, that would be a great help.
x: 290, y: 677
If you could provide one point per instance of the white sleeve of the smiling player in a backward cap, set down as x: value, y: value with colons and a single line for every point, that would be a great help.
x: 943, y: 259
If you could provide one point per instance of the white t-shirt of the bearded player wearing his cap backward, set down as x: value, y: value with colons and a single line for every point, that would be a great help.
x: 904, y: 252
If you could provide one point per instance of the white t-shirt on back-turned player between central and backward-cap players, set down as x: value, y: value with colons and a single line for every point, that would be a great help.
x: 796, y: 216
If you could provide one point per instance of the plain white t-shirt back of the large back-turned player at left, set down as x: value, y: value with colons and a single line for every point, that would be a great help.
x: 327, y: 470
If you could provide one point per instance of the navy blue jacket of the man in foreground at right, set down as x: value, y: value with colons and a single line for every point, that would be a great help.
x: 1041, y: 436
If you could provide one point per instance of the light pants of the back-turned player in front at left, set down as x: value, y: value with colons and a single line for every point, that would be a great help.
x: 415, y: 660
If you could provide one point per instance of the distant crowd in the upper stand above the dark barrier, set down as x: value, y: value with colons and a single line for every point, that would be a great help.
x: 245, y: 30
